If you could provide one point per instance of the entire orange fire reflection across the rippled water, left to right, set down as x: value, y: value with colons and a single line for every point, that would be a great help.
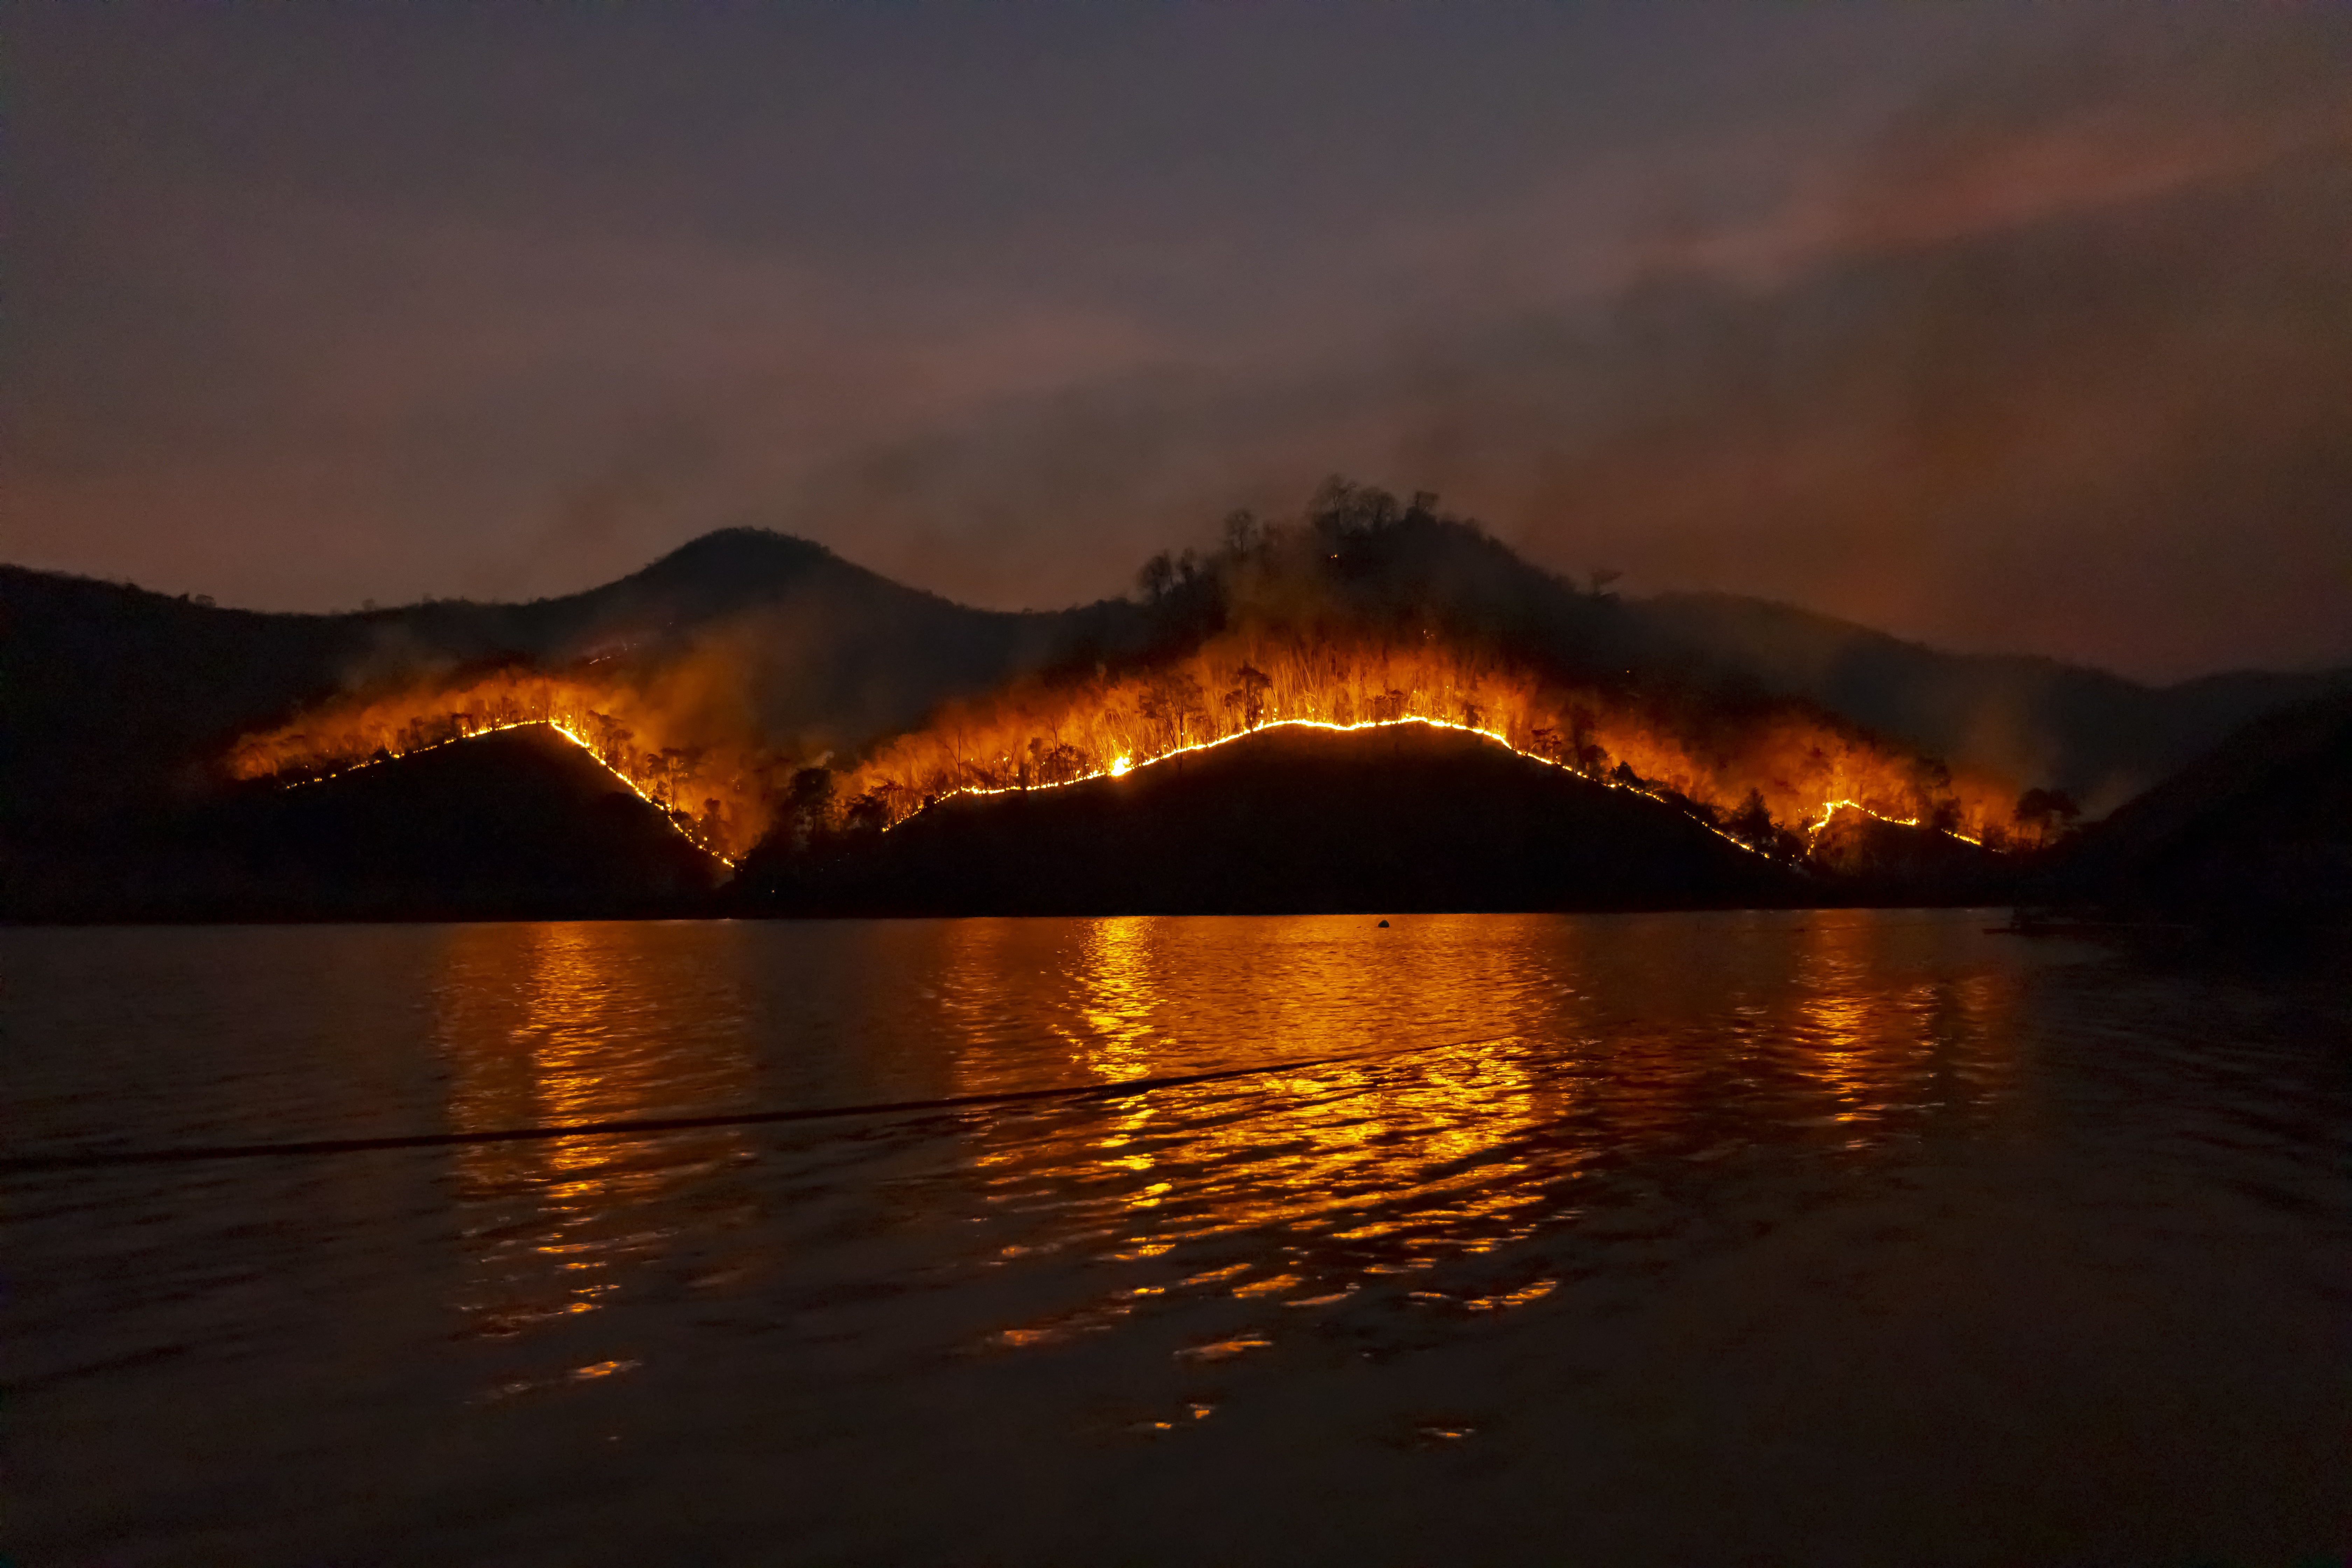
x: 1426, y: 1097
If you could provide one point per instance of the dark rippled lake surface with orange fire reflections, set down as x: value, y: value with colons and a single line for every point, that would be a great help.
x: 1695, y: 1238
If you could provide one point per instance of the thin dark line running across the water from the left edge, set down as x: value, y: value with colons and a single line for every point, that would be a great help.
x: 653, y: 1127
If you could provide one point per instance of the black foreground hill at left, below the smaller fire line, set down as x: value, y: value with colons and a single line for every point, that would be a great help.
x: 509, y: 826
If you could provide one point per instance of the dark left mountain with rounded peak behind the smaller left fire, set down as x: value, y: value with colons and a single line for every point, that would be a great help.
x: 116, y: 699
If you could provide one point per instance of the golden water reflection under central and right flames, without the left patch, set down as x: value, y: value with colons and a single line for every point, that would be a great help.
x: 1485, y: 1094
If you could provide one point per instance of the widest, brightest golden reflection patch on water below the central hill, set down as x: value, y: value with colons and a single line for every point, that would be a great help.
x: 1370, y: 1155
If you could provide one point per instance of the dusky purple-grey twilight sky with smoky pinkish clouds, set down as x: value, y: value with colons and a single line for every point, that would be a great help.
x: 2000, y: 326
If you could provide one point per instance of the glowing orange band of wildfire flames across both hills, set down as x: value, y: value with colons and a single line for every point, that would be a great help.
x: 1768, y: 777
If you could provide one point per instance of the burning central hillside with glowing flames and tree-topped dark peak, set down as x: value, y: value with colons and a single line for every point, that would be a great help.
x: 1375, y: 615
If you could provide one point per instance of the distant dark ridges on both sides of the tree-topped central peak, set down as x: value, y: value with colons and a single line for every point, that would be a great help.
x: 116, y: 699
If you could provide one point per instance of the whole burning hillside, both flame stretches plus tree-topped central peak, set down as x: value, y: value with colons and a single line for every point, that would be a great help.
x: 1361, y: 615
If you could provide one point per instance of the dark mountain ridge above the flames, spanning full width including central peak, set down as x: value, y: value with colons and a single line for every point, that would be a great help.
x: 119, y: 706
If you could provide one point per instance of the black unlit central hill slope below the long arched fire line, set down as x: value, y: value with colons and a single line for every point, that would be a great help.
x: 1285, y: 822
